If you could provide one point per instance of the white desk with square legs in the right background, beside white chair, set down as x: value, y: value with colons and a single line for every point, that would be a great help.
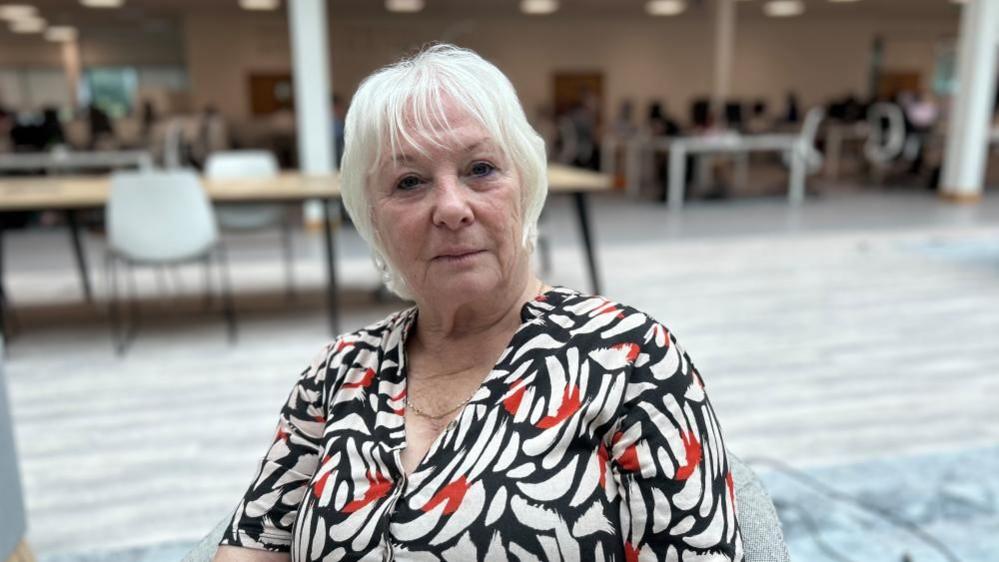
x: 790, y: 144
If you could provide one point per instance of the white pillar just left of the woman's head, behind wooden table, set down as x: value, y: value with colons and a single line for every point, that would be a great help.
x: 310, y: 69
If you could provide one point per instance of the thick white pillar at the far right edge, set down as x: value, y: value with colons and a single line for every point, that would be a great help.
x: 971, y: 113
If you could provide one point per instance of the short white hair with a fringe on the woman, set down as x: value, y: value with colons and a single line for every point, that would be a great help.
x: 405, y: 101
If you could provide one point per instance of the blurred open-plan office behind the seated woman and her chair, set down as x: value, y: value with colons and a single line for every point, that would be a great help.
x: 804, y: 191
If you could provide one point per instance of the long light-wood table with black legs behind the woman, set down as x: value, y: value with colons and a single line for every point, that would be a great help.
x: 71, y: 194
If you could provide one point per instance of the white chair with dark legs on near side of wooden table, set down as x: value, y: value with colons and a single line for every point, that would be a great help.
x: 156, y: 219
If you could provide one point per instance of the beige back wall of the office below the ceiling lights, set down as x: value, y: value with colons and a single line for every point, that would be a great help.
x: 641, y: 58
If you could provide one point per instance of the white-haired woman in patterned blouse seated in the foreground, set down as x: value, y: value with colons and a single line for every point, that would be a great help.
x: 499, y: 418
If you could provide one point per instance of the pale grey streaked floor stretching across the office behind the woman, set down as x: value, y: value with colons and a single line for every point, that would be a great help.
x: 856, y: 331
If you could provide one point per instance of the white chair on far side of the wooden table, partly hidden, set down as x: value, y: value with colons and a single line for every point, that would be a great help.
x: 252, y: 164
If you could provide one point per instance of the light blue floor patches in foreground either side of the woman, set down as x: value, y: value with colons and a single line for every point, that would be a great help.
x: 950, y: 497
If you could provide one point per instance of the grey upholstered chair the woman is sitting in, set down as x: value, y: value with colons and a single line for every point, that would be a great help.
x: 762, y: 537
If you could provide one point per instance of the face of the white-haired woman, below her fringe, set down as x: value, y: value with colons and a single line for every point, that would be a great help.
x: 450, y: 219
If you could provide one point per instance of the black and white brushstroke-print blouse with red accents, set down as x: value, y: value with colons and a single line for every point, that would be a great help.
x: 591, y: 439
